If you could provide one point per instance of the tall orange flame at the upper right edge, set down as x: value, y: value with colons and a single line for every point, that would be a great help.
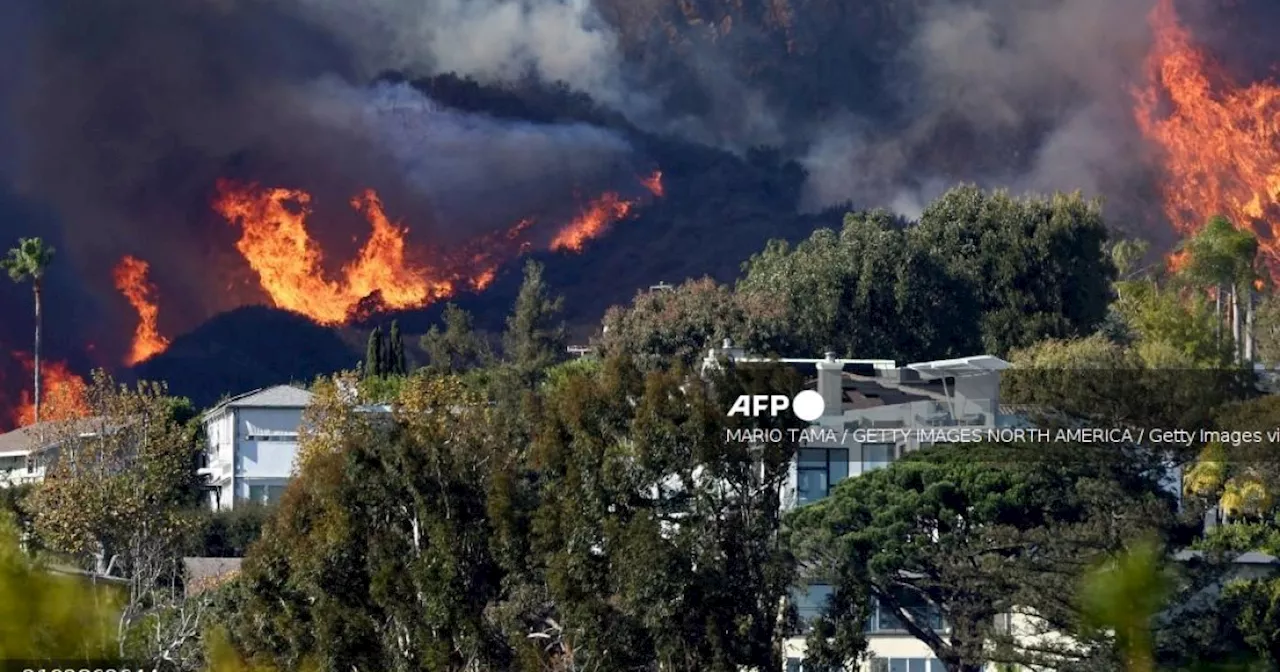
x: 1222, y: 143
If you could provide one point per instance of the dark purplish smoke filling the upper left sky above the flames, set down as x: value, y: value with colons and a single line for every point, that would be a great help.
x: 120, y: 117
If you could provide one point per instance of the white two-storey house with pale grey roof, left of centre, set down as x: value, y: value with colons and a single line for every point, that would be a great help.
x: 253, y: 444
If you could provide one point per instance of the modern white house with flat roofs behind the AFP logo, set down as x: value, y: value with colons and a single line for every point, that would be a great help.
x: 880, y: 412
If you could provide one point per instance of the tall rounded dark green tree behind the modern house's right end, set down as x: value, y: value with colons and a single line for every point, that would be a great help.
x: 1039, y: 266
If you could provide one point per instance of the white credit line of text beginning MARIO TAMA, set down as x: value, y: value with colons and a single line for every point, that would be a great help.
x: 828, y: 436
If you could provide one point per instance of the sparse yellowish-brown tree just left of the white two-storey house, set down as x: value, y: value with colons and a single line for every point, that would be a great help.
x: 121, y: 493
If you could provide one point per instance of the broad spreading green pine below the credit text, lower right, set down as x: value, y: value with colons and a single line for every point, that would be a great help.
x: 972, y: 532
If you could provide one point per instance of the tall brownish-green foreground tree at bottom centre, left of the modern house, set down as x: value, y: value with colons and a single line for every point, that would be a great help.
x: 657, y: 537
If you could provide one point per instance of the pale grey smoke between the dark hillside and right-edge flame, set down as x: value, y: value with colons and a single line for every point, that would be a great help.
x: 1002, y: 72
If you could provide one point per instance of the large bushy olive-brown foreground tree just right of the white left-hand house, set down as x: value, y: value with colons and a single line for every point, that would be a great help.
x: 381, y: 555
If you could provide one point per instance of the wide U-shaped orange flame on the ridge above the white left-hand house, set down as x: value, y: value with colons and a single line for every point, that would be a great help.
x: 289, y: 263
